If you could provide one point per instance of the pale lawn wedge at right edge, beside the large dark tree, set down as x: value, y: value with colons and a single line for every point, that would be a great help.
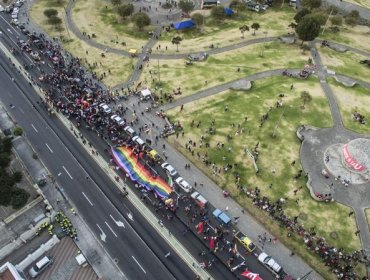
x: 353, y: 36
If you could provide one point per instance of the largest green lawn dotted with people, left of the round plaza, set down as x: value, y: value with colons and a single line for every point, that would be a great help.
x: 275, y: 155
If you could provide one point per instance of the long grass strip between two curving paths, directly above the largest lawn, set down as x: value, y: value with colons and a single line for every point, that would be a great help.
x: 222, y: 68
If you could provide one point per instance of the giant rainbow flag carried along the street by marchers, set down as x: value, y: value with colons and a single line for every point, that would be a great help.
x: 128, y: 161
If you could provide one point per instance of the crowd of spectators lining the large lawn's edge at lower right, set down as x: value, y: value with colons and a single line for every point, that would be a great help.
x: 341, y: 263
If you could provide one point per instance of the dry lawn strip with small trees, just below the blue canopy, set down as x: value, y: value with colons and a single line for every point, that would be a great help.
x: 273, y: 22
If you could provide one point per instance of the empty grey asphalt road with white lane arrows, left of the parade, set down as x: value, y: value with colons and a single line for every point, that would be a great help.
x: 139, y: 250
